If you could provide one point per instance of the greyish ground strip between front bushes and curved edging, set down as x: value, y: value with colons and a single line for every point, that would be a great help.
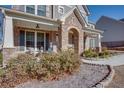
x: 86, y: 77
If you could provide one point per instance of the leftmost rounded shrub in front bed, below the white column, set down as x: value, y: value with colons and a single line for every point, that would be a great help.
x: 22, y: 64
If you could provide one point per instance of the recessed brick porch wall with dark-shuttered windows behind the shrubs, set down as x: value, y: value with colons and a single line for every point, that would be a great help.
x: 26, y: 39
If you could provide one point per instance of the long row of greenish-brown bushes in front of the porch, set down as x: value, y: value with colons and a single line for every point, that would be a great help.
x: 49, y: 67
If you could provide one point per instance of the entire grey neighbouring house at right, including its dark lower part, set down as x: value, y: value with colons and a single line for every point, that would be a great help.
x: 113, y: 35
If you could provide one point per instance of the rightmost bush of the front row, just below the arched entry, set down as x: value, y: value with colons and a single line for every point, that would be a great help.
x: 69, y: 61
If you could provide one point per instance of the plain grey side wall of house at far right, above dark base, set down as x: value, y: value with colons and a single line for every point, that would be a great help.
x: 113, y: 29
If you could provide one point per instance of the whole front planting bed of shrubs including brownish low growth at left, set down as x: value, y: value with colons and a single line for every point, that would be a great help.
x: 44, y: 67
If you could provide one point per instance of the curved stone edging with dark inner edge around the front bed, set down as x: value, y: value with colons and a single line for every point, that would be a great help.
x: 107, y: 79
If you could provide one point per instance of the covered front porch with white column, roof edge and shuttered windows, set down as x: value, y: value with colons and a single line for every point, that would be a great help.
x: 24, y: 32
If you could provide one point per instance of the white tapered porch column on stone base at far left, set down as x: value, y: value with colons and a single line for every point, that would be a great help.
x: 8, y: 46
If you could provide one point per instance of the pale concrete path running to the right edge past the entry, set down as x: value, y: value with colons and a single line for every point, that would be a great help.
x: 113, y: 61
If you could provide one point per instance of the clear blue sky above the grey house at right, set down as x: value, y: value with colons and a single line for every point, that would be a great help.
x: 113, y: 11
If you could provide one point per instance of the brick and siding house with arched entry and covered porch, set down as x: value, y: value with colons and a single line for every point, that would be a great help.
x: 50, y: 27
